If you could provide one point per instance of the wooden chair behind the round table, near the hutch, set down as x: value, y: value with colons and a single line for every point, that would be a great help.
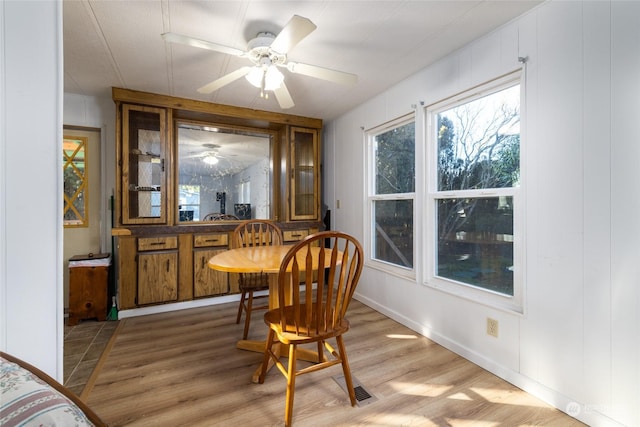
x: 254, y: 232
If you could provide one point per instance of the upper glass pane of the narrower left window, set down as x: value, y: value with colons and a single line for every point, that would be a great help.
x: 395, y: 160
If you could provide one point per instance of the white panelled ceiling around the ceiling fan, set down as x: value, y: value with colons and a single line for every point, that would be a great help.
x: 118, y: 43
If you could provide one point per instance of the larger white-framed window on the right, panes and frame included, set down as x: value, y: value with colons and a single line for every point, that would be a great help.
x: 474, y: 192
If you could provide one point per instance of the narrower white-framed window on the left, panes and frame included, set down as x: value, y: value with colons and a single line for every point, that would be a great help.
x: 391, y: 153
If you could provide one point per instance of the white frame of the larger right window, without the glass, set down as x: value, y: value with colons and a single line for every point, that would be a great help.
x: 514, y: 303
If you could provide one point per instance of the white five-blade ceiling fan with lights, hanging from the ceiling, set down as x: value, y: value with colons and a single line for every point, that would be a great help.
x: 267, y: 52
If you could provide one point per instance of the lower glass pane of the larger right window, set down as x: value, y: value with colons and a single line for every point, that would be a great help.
x: 475, y: 242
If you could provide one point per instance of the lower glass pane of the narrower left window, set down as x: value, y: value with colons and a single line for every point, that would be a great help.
x: 393, y: 236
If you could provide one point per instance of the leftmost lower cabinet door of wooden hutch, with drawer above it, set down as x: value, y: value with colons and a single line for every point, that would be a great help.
x: 157, y: 270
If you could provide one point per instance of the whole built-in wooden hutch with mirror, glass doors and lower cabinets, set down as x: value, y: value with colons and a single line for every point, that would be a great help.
x: 162, y: 258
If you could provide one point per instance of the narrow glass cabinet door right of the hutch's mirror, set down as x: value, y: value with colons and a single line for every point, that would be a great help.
x: 304, y: 187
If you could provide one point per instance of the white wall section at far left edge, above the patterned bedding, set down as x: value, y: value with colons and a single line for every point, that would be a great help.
x: 31, y: 306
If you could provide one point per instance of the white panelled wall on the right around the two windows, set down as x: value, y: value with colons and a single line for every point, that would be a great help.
x: 578, y: 344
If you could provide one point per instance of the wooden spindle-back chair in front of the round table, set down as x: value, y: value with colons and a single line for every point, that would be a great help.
x: 315, y: 312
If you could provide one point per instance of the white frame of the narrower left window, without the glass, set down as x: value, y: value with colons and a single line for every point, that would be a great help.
x: 370, y: 169
